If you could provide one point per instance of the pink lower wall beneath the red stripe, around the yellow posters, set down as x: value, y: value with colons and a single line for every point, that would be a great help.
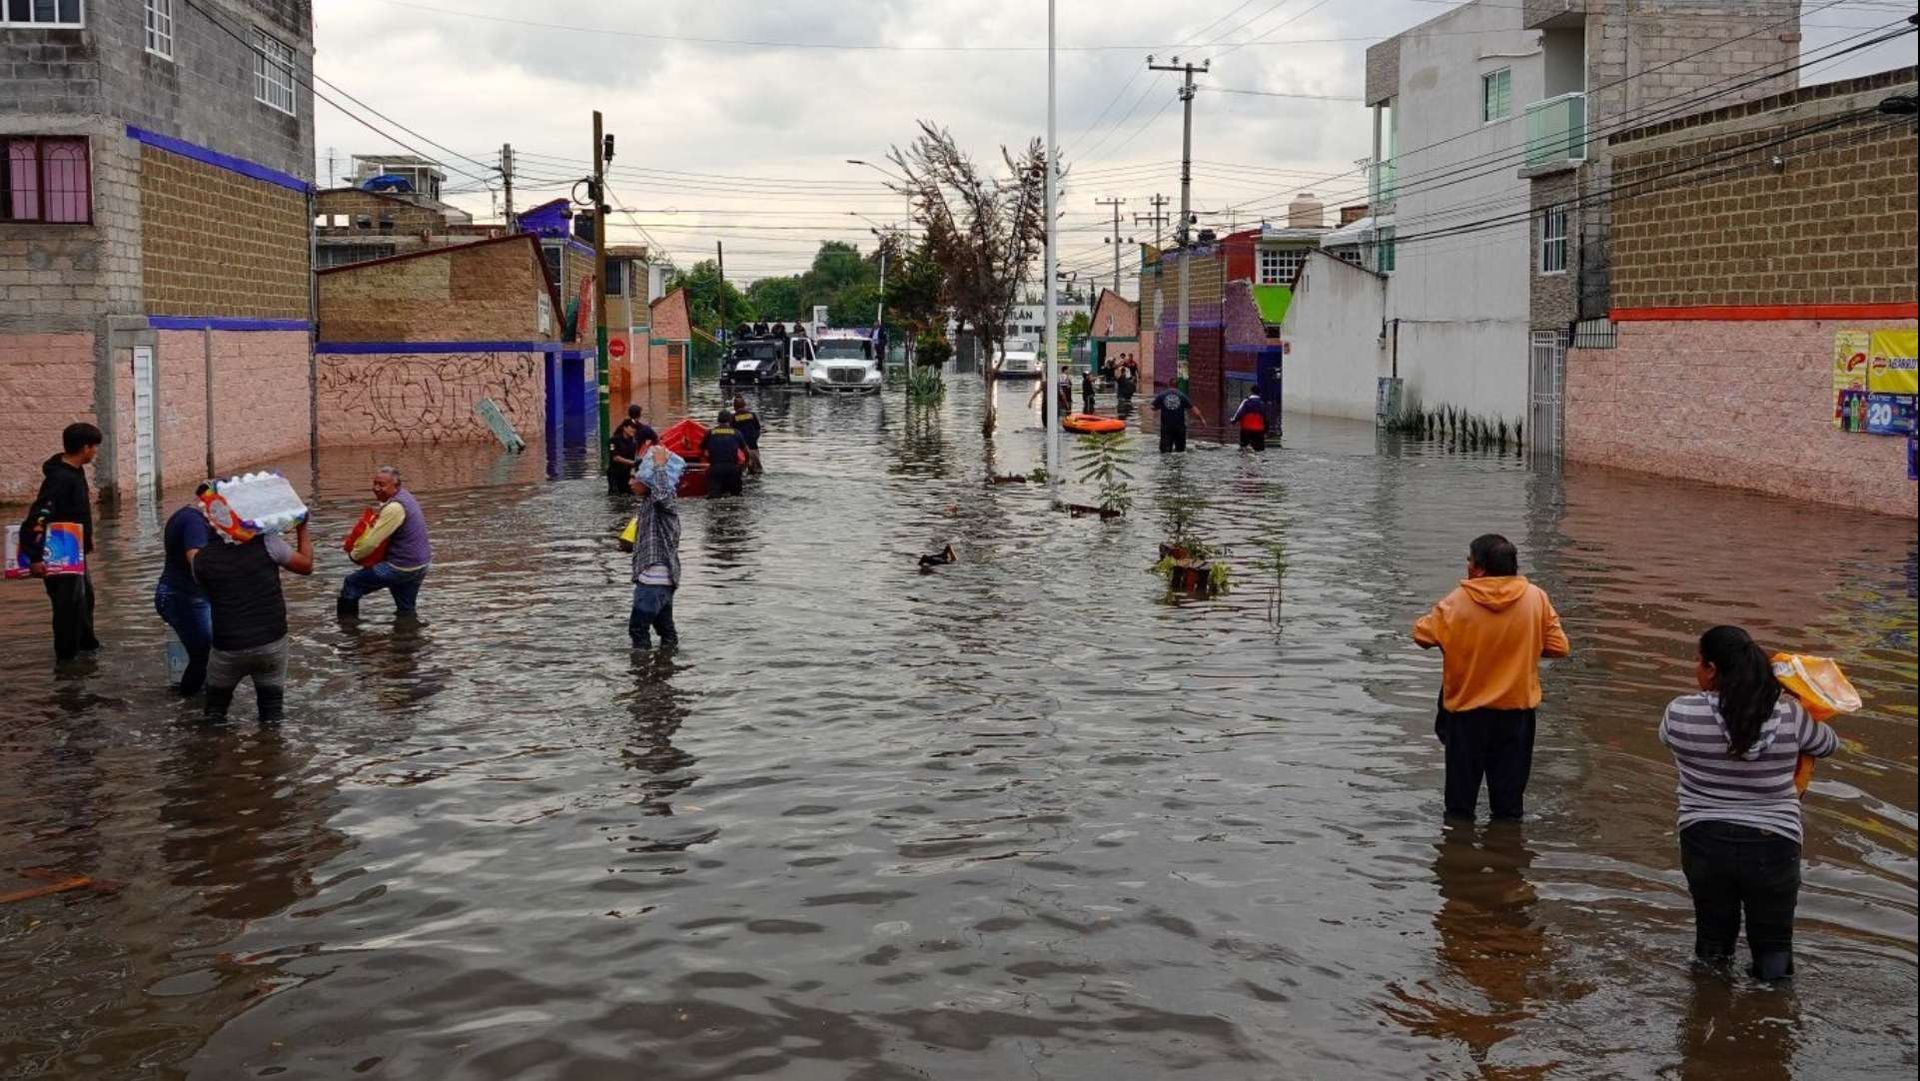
x: 1742, y: 404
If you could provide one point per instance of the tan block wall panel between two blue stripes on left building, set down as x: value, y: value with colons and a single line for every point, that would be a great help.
x: 216, y: 243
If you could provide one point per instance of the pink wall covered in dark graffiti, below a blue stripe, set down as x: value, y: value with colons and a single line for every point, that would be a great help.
x: 427, y: 400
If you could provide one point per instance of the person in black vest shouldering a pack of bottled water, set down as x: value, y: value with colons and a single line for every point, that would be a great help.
x: 243, y: 587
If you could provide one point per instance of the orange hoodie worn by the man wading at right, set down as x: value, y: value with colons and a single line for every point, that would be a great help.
x: 1495, y: 633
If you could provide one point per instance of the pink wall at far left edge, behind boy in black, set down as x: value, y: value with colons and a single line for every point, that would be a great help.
x: 47, y: 383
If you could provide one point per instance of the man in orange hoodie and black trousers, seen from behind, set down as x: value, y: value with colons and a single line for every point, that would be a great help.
x: 1495, y: 629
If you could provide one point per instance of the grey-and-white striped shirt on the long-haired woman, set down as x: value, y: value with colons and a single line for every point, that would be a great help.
x: 1754, y: 790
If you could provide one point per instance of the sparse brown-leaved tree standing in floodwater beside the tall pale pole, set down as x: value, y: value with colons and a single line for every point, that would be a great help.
x: 984, y: 231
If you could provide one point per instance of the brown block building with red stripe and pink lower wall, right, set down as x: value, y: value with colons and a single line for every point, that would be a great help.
x: 1752, y: 245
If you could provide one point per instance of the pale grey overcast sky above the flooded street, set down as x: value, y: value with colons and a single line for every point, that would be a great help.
x: 748, y: 143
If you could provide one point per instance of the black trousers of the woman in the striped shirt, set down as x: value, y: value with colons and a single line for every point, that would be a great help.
x: 1731, y: 869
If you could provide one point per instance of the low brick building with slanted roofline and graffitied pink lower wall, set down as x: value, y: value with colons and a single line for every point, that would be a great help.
x: 410, y: 345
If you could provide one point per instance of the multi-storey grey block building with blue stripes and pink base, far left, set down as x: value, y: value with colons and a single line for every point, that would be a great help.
x: 155, y: 222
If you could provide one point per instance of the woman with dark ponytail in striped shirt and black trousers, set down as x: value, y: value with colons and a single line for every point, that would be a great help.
x: 1737, y: 744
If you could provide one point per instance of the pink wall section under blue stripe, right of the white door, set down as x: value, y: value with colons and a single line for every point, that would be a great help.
x: 260, y: 396
